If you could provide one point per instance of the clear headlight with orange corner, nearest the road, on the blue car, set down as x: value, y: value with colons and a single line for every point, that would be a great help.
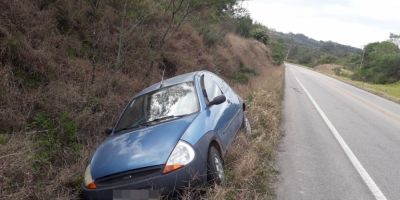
x: 182, y: 155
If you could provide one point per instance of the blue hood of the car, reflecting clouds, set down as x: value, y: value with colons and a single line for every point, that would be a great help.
x: 146, y: 147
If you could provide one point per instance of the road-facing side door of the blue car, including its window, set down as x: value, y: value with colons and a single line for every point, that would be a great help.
x: 217, y: 114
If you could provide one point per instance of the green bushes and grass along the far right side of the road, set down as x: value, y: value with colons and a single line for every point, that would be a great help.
x: 376, y: 68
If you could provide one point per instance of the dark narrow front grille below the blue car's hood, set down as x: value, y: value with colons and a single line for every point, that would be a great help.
x: 128, y: 176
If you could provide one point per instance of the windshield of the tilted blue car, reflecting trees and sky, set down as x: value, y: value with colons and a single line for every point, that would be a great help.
x: 166, y: 103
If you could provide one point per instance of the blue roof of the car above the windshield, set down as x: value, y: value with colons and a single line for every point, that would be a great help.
x: 172, y: 81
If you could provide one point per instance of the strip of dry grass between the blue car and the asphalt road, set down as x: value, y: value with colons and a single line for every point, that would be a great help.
x: 250, y: 161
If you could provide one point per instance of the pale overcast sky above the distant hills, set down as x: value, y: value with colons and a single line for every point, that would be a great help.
x: 350, y: 22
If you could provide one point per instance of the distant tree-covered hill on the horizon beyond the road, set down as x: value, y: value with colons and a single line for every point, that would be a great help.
x: 308, y: 51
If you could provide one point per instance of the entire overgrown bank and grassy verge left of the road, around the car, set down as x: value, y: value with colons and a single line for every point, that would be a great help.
x: 67, y: 69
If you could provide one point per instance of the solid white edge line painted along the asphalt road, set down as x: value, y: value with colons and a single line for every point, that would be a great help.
x: 353, y: 159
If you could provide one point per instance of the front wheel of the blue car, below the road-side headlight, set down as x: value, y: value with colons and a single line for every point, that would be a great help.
x: 215, y: 167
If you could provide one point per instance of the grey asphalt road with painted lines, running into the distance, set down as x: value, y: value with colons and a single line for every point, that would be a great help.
x: 340, y: 142
